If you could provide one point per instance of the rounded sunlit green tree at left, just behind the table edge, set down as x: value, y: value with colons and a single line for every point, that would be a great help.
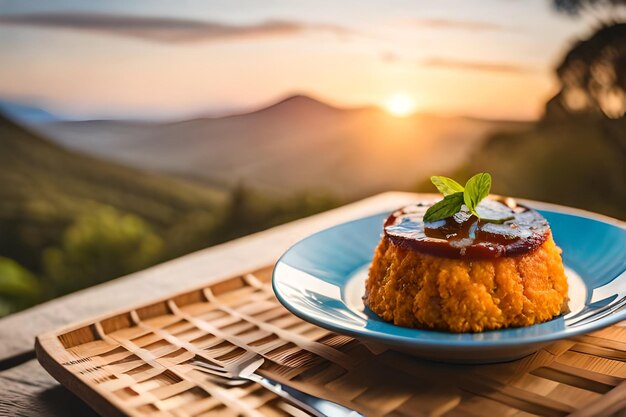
x: 100, y: 246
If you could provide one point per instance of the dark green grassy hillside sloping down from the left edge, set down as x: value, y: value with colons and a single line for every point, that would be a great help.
x: 45, y: 188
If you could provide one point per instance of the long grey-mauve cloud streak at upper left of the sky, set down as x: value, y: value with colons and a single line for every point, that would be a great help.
x: 164, y: 29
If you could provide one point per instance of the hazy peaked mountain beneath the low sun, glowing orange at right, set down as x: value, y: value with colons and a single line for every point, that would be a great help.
x: 296, y: 144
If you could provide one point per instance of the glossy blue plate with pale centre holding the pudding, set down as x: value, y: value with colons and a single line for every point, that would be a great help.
x: 321, y: 280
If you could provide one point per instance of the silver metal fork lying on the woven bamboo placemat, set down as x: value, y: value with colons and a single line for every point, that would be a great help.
x: 244, y: 372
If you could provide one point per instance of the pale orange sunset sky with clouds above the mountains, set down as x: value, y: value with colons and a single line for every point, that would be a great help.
x: 169, y: 59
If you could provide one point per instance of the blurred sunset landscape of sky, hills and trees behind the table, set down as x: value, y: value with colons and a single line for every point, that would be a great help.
x: 131, y: 134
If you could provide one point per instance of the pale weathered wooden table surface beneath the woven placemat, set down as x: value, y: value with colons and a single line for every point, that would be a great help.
x: 25, y: 387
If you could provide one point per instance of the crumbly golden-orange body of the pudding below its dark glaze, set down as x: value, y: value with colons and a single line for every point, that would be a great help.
x: 413, y: 289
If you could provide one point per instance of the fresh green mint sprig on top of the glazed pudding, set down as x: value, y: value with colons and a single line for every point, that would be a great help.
x: 455, y: 195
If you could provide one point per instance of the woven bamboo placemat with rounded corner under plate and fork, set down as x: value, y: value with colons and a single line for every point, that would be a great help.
x: 137, y: 363
